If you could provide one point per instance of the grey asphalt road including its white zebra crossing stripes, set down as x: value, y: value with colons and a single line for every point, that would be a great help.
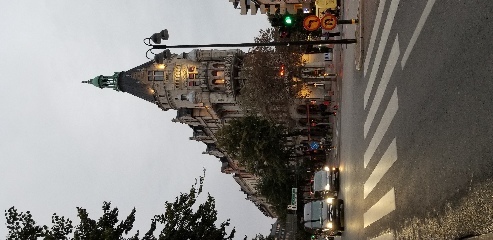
x: 417, y: 119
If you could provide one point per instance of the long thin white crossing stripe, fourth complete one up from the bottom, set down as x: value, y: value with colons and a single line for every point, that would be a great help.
x: 387, y: 73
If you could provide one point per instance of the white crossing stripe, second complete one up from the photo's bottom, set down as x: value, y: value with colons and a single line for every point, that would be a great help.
x: 388, y: 159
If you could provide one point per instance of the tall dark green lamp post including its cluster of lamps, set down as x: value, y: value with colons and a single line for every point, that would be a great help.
x: 164, y: 35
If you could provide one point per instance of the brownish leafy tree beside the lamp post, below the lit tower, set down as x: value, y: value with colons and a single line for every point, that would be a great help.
x: 266, y: 90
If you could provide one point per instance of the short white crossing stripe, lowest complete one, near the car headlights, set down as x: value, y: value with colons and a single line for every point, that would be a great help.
x: 383, y: 207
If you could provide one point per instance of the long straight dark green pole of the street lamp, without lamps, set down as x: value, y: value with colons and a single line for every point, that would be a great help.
x: 267, y: 44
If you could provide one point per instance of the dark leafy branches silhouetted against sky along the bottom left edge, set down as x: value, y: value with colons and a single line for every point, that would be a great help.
x: 179, y: 221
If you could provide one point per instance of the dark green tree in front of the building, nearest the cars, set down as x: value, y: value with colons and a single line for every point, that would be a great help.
x: 259, y: 145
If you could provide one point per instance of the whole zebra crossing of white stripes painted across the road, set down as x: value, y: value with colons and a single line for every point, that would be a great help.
x: 386, y: 203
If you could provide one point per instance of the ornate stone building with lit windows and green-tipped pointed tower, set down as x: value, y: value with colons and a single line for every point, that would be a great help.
x: 203, y: 87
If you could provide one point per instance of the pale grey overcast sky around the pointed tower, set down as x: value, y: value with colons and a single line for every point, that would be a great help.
x: 65, y: 144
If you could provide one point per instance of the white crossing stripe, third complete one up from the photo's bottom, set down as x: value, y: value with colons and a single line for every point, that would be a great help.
x: 388, y: 115
